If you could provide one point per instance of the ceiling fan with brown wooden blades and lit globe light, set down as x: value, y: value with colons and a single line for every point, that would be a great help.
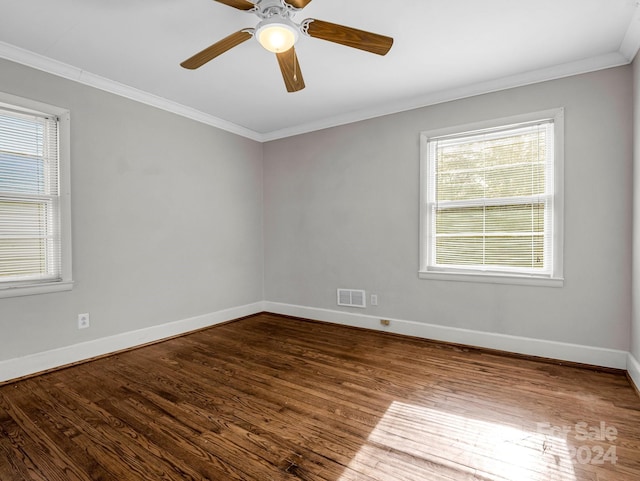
x: 278, y: 33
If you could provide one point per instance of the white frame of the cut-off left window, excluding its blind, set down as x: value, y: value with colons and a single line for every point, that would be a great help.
x: 65, y: 282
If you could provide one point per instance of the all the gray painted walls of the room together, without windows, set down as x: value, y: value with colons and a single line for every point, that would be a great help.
x: 168, y: 218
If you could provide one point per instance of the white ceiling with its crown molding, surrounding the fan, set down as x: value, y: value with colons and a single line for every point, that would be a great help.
x: 443, y: 49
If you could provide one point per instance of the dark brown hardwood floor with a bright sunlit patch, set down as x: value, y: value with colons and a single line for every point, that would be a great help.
x: 274, y: 398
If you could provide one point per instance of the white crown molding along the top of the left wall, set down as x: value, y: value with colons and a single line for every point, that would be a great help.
x: 48, y: 65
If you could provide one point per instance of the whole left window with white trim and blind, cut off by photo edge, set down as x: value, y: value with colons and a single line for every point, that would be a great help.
x: 34, y: 198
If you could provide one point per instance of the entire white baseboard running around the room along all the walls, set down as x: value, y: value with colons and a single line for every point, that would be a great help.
x: 43, y: 361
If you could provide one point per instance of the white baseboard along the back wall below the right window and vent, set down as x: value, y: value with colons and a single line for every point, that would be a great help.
x: 595, y: 356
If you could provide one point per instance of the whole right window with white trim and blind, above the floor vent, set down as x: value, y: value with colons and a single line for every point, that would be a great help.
x: 492, y: 201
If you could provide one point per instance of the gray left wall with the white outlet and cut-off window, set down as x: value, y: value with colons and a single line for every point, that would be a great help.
x: 167, y: 219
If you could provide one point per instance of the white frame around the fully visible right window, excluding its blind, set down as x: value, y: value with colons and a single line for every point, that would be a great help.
x: 508, y: 276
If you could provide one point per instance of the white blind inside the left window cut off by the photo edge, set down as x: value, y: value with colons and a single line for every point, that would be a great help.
x: 30, y: 239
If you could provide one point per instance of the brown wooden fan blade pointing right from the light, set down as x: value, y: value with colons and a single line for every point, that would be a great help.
x: 351, y: 37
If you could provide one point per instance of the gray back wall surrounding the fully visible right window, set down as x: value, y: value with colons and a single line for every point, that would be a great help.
x: 341, y: 210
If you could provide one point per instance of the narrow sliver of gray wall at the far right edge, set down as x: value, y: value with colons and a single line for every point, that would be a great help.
x: 635, y: 327
